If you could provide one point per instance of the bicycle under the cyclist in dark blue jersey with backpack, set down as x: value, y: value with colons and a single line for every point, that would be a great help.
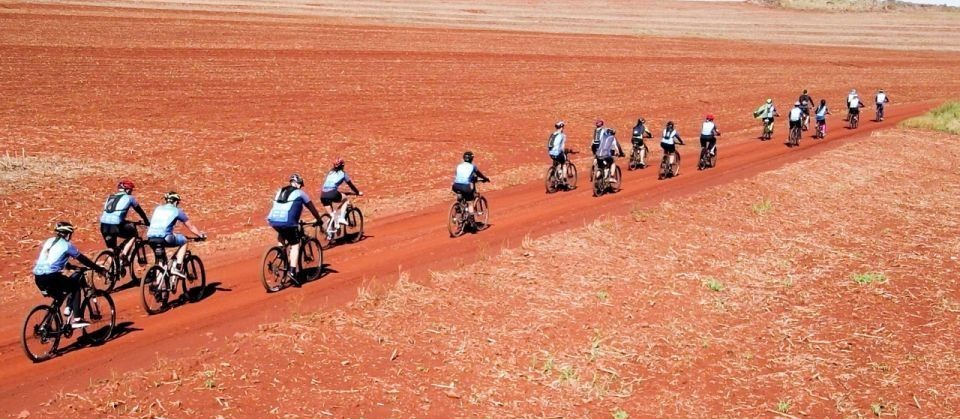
x: 276, y: 275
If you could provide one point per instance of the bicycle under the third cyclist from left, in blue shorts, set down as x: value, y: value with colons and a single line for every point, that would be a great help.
x: 159, y: 284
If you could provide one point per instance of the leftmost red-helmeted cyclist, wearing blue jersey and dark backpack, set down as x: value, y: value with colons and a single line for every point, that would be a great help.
x: 113, y: 220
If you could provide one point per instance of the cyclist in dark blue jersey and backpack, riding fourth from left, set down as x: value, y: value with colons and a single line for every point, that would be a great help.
x: 284, y: 217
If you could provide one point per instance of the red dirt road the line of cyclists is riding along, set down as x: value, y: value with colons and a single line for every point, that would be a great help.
x: 412, y: 241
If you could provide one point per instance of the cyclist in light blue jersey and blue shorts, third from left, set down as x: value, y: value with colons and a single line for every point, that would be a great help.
x: 161, y: 235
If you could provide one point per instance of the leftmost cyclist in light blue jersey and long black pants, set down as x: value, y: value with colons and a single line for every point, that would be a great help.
x: 48, y: 276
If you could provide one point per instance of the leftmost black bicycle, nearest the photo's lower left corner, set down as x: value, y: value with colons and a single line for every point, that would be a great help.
x: 45, y: 325
